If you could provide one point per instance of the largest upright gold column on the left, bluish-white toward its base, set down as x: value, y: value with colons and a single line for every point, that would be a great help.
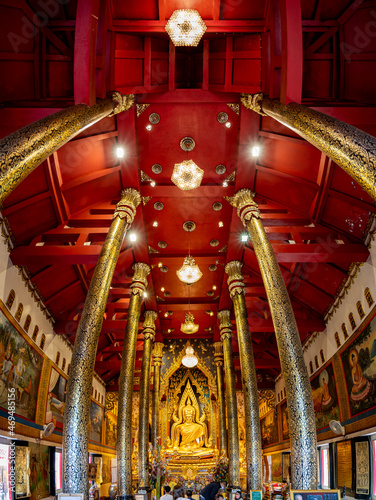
x: 77, y: 404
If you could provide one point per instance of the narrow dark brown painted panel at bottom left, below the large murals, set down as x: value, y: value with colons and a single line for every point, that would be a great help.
x: 39, y: 485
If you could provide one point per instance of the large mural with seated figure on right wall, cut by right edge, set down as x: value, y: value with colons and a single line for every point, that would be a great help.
x: 359, y: 363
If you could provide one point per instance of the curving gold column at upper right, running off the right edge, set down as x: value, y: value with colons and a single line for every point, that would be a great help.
x: 351, y: 148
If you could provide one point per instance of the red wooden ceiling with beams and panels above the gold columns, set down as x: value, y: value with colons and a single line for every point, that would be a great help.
x: 60, y: 214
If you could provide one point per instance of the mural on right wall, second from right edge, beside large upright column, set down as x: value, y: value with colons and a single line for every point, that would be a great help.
x: 325, y: 399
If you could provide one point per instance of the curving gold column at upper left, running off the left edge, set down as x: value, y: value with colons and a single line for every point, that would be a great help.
x: 25, y: 149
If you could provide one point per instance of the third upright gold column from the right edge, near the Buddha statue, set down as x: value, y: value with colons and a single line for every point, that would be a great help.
x: 225, y: 330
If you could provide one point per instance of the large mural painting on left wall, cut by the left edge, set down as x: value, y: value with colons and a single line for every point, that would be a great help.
x: 20, y: 369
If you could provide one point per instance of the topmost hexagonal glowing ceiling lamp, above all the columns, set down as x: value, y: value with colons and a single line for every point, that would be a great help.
x: 185, y: 28
